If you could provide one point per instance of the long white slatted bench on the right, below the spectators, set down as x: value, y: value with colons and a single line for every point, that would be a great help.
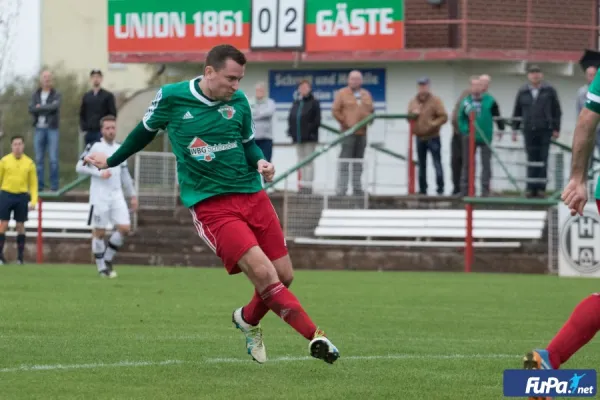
x: 427, y: 228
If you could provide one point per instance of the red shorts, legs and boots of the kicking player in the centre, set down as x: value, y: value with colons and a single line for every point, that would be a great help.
x: 228, y: 224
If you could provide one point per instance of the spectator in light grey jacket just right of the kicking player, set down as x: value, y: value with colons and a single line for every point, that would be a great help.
x: 263, y: 109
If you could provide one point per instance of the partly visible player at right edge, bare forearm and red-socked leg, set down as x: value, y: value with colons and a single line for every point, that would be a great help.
x: 584, y: 322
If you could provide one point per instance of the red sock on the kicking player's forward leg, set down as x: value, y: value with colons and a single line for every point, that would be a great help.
x: 283, y: 303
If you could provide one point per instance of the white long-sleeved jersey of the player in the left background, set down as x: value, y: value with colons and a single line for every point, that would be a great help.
x: 106, y: 191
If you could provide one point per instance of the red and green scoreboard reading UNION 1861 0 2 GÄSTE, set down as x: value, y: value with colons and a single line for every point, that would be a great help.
x: 178, y: 26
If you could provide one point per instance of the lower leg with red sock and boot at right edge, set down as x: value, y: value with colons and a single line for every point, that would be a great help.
x: 580, y: 328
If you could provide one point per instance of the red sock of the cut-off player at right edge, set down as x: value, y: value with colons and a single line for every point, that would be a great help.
x: 581, y: 327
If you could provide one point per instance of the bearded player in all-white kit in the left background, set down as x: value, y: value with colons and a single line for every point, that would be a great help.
x: 107, y: 199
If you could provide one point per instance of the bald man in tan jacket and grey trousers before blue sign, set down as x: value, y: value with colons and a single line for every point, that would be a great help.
x: 351, y: 105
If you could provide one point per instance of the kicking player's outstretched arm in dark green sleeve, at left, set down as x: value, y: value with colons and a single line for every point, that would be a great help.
x: 156, y: 118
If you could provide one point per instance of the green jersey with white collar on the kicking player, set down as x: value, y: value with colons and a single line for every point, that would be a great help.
x: 207, y: 138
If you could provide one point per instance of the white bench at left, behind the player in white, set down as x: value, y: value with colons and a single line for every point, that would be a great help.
x: 59, y: 220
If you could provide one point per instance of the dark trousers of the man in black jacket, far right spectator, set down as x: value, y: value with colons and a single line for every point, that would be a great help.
x: 537, y: 146
